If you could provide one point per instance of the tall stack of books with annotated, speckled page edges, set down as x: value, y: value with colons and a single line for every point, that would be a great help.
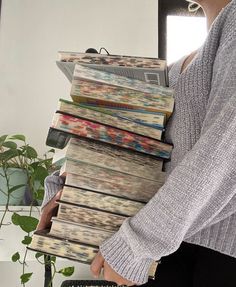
x: 112, y: 149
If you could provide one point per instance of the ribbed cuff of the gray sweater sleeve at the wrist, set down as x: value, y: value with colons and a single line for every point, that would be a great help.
x: 121, y: 258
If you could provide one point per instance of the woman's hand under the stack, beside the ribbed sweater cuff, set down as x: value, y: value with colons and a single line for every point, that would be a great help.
x: 109, y: 274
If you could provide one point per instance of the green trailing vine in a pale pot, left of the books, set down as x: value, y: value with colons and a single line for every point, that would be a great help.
x: 22, y: 174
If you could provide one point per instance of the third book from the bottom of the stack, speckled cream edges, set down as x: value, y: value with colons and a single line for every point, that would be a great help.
x: 90, y: 216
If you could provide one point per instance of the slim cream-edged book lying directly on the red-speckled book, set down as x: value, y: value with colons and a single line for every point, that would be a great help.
x: 89, y: 113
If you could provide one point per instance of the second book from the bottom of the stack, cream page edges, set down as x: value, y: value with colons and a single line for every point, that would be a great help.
x: 78, y: 232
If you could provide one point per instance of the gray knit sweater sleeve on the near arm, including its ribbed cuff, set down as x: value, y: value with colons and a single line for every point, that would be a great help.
x: 196, y: 192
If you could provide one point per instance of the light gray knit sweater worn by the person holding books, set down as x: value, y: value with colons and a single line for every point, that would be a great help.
x: 197, y: 203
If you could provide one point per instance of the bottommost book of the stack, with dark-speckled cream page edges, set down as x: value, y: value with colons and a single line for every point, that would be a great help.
x: 42, y: 241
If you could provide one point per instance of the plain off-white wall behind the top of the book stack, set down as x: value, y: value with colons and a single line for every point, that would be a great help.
x: 33, y: 31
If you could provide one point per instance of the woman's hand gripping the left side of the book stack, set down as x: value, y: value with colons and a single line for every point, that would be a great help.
x: 48, y: 212
